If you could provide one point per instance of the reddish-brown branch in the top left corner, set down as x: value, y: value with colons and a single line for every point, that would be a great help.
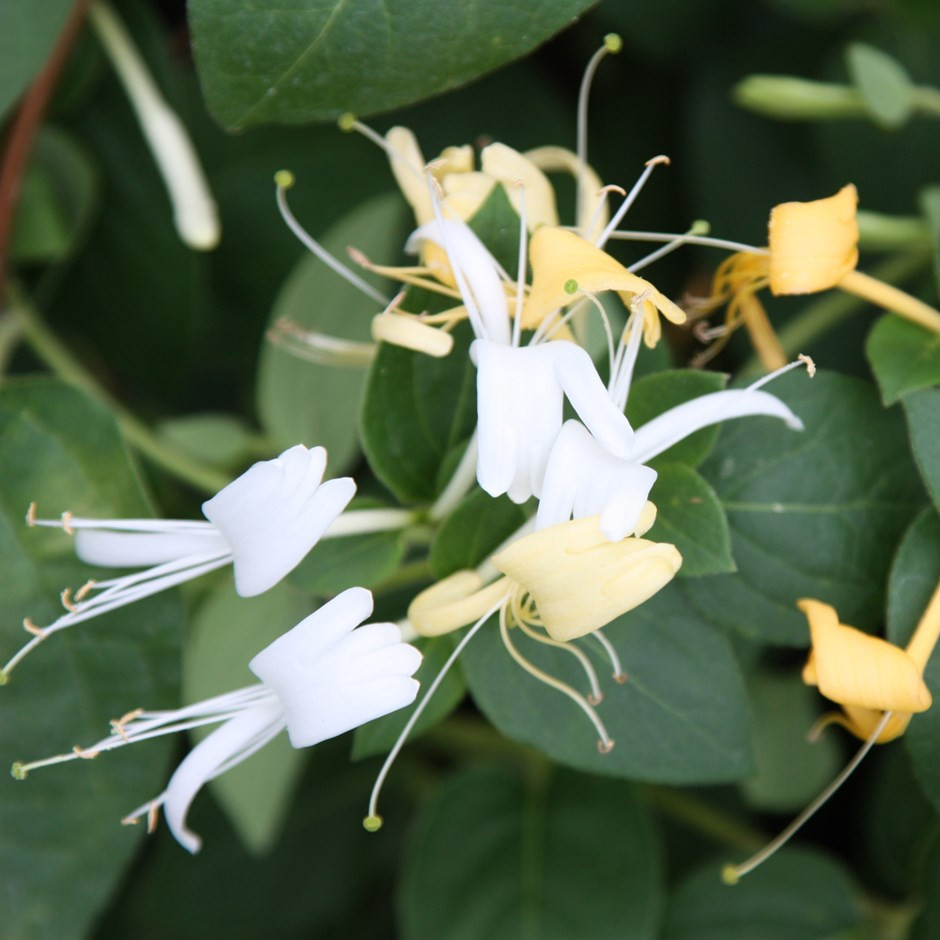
x: 25, y: 126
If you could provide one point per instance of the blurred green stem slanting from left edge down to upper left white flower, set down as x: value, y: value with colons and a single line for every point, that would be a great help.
x: 60, y: 360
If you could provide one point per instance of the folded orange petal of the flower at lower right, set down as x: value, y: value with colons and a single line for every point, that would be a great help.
x: 858, y: 670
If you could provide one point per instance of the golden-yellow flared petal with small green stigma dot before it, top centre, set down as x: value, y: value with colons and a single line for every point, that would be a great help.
x: 564, y: 266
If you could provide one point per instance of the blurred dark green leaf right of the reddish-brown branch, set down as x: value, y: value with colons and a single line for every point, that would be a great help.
x: 59, y: 192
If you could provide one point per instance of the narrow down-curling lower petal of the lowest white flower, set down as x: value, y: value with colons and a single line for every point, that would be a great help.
x: 229, y: 744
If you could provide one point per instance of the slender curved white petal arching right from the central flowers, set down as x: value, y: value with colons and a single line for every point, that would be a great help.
x: 677, y: 423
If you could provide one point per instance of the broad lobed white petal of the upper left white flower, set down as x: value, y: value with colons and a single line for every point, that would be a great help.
x: 274, y: 514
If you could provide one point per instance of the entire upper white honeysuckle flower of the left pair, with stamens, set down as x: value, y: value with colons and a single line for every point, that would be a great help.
x: 263, y: 523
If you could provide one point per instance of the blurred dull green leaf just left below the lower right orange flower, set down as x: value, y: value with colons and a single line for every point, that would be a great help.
x: 790, y: 770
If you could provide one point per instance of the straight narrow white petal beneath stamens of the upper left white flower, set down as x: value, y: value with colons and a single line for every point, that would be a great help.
x: 111, y: 549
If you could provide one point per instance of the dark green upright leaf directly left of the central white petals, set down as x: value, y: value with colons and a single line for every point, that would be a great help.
x: 415, y: 410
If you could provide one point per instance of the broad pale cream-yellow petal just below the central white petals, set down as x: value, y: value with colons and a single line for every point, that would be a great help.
x: 580, y: 581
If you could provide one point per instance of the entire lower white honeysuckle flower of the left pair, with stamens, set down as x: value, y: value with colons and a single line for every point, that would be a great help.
x: 324, y: 677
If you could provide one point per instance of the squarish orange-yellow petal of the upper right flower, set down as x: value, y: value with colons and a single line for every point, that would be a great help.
x: 813, y: 245
